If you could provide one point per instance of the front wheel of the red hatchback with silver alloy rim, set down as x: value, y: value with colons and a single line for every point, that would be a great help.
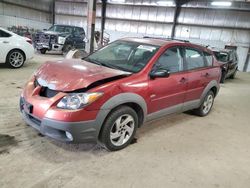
x: 119, y: 128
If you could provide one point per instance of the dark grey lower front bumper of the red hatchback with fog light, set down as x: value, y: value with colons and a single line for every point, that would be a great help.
x: 75, y: 132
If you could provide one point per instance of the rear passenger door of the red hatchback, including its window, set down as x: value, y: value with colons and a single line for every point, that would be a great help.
x: 198, y: 74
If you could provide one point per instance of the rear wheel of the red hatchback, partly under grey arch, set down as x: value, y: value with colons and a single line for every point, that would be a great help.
x: 206, y: 105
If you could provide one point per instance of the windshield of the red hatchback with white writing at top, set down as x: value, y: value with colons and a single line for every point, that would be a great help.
x: 124, y: 55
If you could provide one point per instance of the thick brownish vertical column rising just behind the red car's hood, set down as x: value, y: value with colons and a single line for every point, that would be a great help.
x: 91, y: 25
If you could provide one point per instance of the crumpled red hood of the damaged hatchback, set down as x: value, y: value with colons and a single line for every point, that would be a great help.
x: 70, y: 75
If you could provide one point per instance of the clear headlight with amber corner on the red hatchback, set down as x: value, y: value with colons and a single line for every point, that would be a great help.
x: 76, y: 101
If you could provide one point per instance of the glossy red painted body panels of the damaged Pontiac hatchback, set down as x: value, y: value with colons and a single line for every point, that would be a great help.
x: 70, y: 75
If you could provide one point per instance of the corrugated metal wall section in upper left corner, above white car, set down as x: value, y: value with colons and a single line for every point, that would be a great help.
x: 33, y: 14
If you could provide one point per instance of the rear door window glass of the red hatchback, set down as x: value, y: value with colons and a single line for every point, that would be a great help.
x: 194, y: 59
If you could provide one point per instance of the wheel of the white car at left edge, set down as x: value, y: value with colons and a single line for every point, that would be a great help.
x: 15, y: 59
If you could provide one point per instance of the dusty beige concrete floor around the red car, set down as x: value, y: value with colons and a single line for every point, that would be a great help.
x: 177, y: 151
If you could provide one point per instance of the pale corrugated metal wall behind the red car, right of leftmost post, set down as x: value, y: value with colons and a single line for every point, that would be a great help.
x: 198, y: 21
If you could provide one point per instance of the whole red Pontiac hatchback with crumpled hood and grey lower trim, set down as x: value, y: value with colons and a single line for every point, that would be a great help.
x: 108, y: 95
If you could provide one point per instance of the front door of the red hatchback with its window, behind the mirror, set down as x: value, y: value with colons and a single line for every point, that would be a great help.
x: 168, y: 93
